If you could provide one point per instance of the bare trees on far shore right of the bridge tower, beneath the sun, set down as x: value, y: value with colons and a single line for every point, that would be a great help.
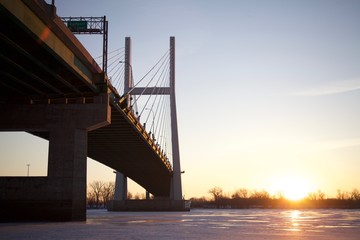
x: 244, y: 198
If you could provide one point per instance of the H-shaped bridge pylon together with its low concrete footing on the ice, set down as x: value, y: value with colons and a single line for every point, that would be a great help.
x: 175, y: 200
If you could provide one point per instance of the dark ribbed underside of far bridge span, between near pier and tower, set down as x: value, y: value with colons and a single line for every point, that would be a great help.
x: 121, y: 147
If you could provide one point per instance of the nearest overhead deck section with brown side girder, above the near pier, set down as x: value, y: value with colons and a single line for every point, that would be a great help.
x: 40, y: 58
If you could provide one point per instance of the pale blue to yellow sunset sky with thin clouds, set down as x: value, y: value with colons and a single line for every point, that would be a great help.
x: 268, y: 92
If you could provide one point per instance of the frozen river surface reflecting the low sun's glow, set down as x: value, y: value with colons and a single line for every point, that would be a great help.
x: 197, y: 224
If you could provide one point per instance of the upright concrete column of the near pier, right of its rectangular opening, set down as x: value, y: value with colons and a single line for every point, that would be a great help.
x: 67, y: 170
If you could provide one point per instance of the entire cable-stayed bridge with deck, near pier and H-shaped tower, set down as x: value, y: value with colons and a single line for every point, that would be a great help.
x: 53, y: 88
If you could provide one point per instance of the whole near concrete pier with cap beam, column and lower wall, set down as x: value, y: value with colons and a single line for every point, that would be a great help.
x: 61, y: 196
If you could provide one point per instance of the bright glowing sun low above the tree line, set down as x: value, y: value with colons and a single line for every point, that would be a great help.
x: 293, y: 187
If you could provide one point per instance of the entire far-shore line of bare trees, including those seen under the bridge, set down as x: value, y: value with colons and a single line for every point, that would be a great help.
x: 100, y: 193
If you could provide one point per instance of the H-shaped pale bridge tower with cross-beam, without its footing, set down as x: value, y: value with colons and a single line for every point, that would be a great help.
x: 121, y: 180
